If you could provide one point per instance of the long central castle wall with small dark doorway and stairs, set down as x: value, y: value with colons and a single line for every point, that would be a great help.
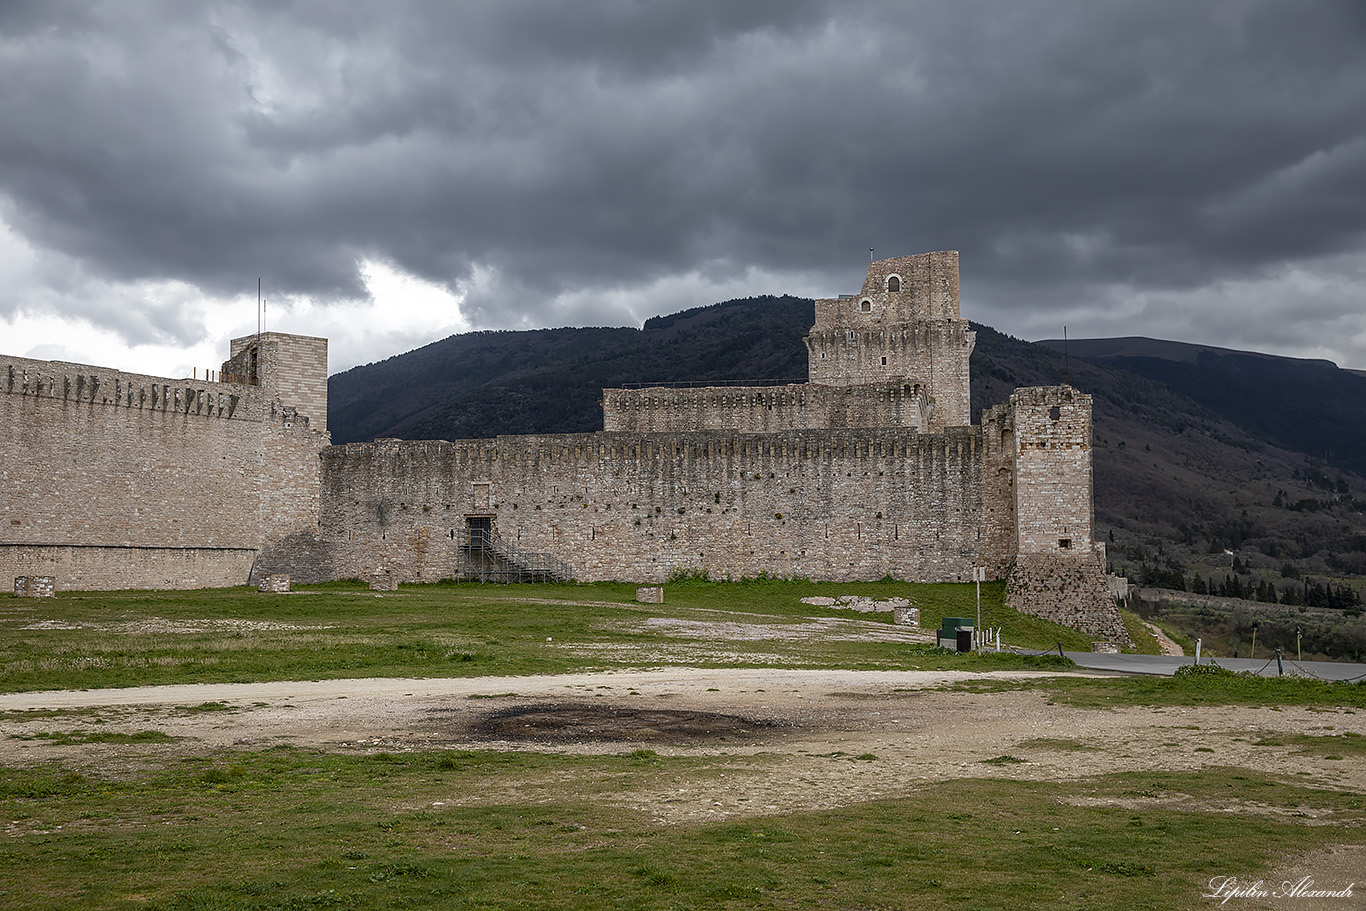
x: 838, y: 506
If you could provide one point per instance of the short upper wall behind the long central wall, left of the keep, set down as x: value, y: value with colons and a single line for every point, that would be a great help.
x: 764, y: 409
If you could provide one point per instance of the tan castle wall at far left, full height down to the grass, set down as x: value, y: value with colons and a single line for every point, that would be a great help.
x: 114, y: 480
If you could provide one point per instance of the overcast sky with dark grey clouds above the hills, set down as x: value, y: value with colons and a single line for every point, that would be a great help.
x: 397, y: 173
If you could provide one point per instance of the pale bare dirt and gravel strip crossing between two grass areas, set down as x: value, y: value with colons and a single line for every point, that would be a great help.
x: 798, y: 734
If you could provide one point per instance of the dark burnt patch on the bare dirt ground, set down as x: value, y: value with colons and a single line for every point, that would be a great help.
x: 585, y: 723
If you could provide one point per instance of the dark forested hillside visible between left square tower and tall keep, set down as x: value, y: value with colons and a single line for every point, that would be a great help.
x: 482, y: 384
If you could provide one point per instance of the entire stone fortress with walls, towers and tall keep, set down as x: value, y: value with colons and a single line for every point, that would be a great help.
x: 872, y: 469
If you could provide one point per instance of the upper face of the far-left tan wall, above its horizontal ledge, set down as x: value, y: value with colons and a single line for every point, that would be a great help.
x: 98, y: 457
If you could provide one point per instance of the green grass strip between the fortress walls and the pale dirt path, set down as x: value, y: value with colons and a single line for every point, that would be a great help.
x: 344, y: 630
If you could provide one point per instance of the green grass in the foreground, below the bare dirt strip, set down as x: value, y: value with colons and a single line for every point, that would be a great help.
x: 294, y: 830
